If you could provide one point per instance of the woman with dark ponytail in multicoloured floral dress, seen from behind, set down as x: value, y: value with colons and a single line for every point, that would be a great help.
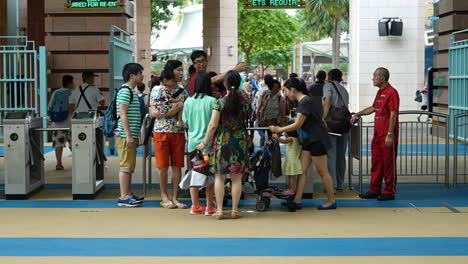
x: 227, y: 133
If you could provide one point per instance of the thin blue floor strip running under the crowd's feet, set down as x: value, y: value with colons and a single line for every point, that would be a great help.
x: 275, y: 204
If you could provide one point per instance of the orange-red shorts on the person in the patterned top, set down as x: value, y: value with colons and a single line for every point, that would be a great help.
x: 169, y: 150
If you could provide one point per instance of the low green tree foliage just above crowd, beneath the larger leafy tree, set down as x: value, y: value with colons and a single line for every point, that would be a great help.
x: 272, y: 58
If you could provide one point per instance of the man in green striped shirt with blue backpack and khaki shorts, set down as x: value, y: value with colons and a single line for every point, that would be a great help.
x: 128, y: 130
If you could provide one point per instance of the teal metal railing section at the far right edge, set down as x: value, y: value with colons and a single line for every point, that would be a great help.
x: 460, y: 146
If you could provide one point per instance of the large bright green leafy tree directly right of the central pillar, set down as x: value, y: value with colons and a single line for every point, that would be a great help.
x: 264, y: 30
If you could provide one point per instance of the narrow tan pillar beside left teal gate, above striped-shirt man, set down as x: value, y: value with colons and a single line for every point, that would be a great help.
x: 143, y: 36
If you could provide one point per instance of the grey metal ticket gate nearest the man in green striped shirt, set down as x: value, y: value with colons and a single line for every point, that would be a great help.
x: 88, y: 155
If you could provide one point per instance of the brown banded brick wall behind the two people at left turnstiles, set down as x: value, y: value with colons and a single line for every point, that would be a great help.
x: 79, y: 40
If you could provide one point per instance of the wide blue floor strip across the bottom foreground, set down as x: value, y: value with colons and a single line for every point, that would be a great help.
x: 203, y: 247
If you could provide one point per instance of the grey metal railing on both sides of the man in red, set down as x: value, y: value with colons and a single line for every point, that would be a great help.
x: 423, y: 153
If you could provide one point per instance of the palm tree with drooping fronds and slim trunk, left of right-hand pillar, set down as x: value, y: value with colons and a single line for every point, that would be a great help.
x: 328, y: 18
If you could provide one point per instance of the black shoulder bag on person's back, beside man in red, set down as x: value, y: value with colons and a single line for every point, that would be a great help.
x: 338, y: 117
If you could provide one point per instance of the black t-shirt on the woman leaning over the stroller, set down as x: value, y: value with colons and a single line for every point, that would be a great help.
x: 313, y: 125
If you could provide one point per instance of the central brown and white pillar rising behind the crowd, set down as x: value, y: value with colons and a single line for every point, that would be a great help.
x: 220, y: 34
